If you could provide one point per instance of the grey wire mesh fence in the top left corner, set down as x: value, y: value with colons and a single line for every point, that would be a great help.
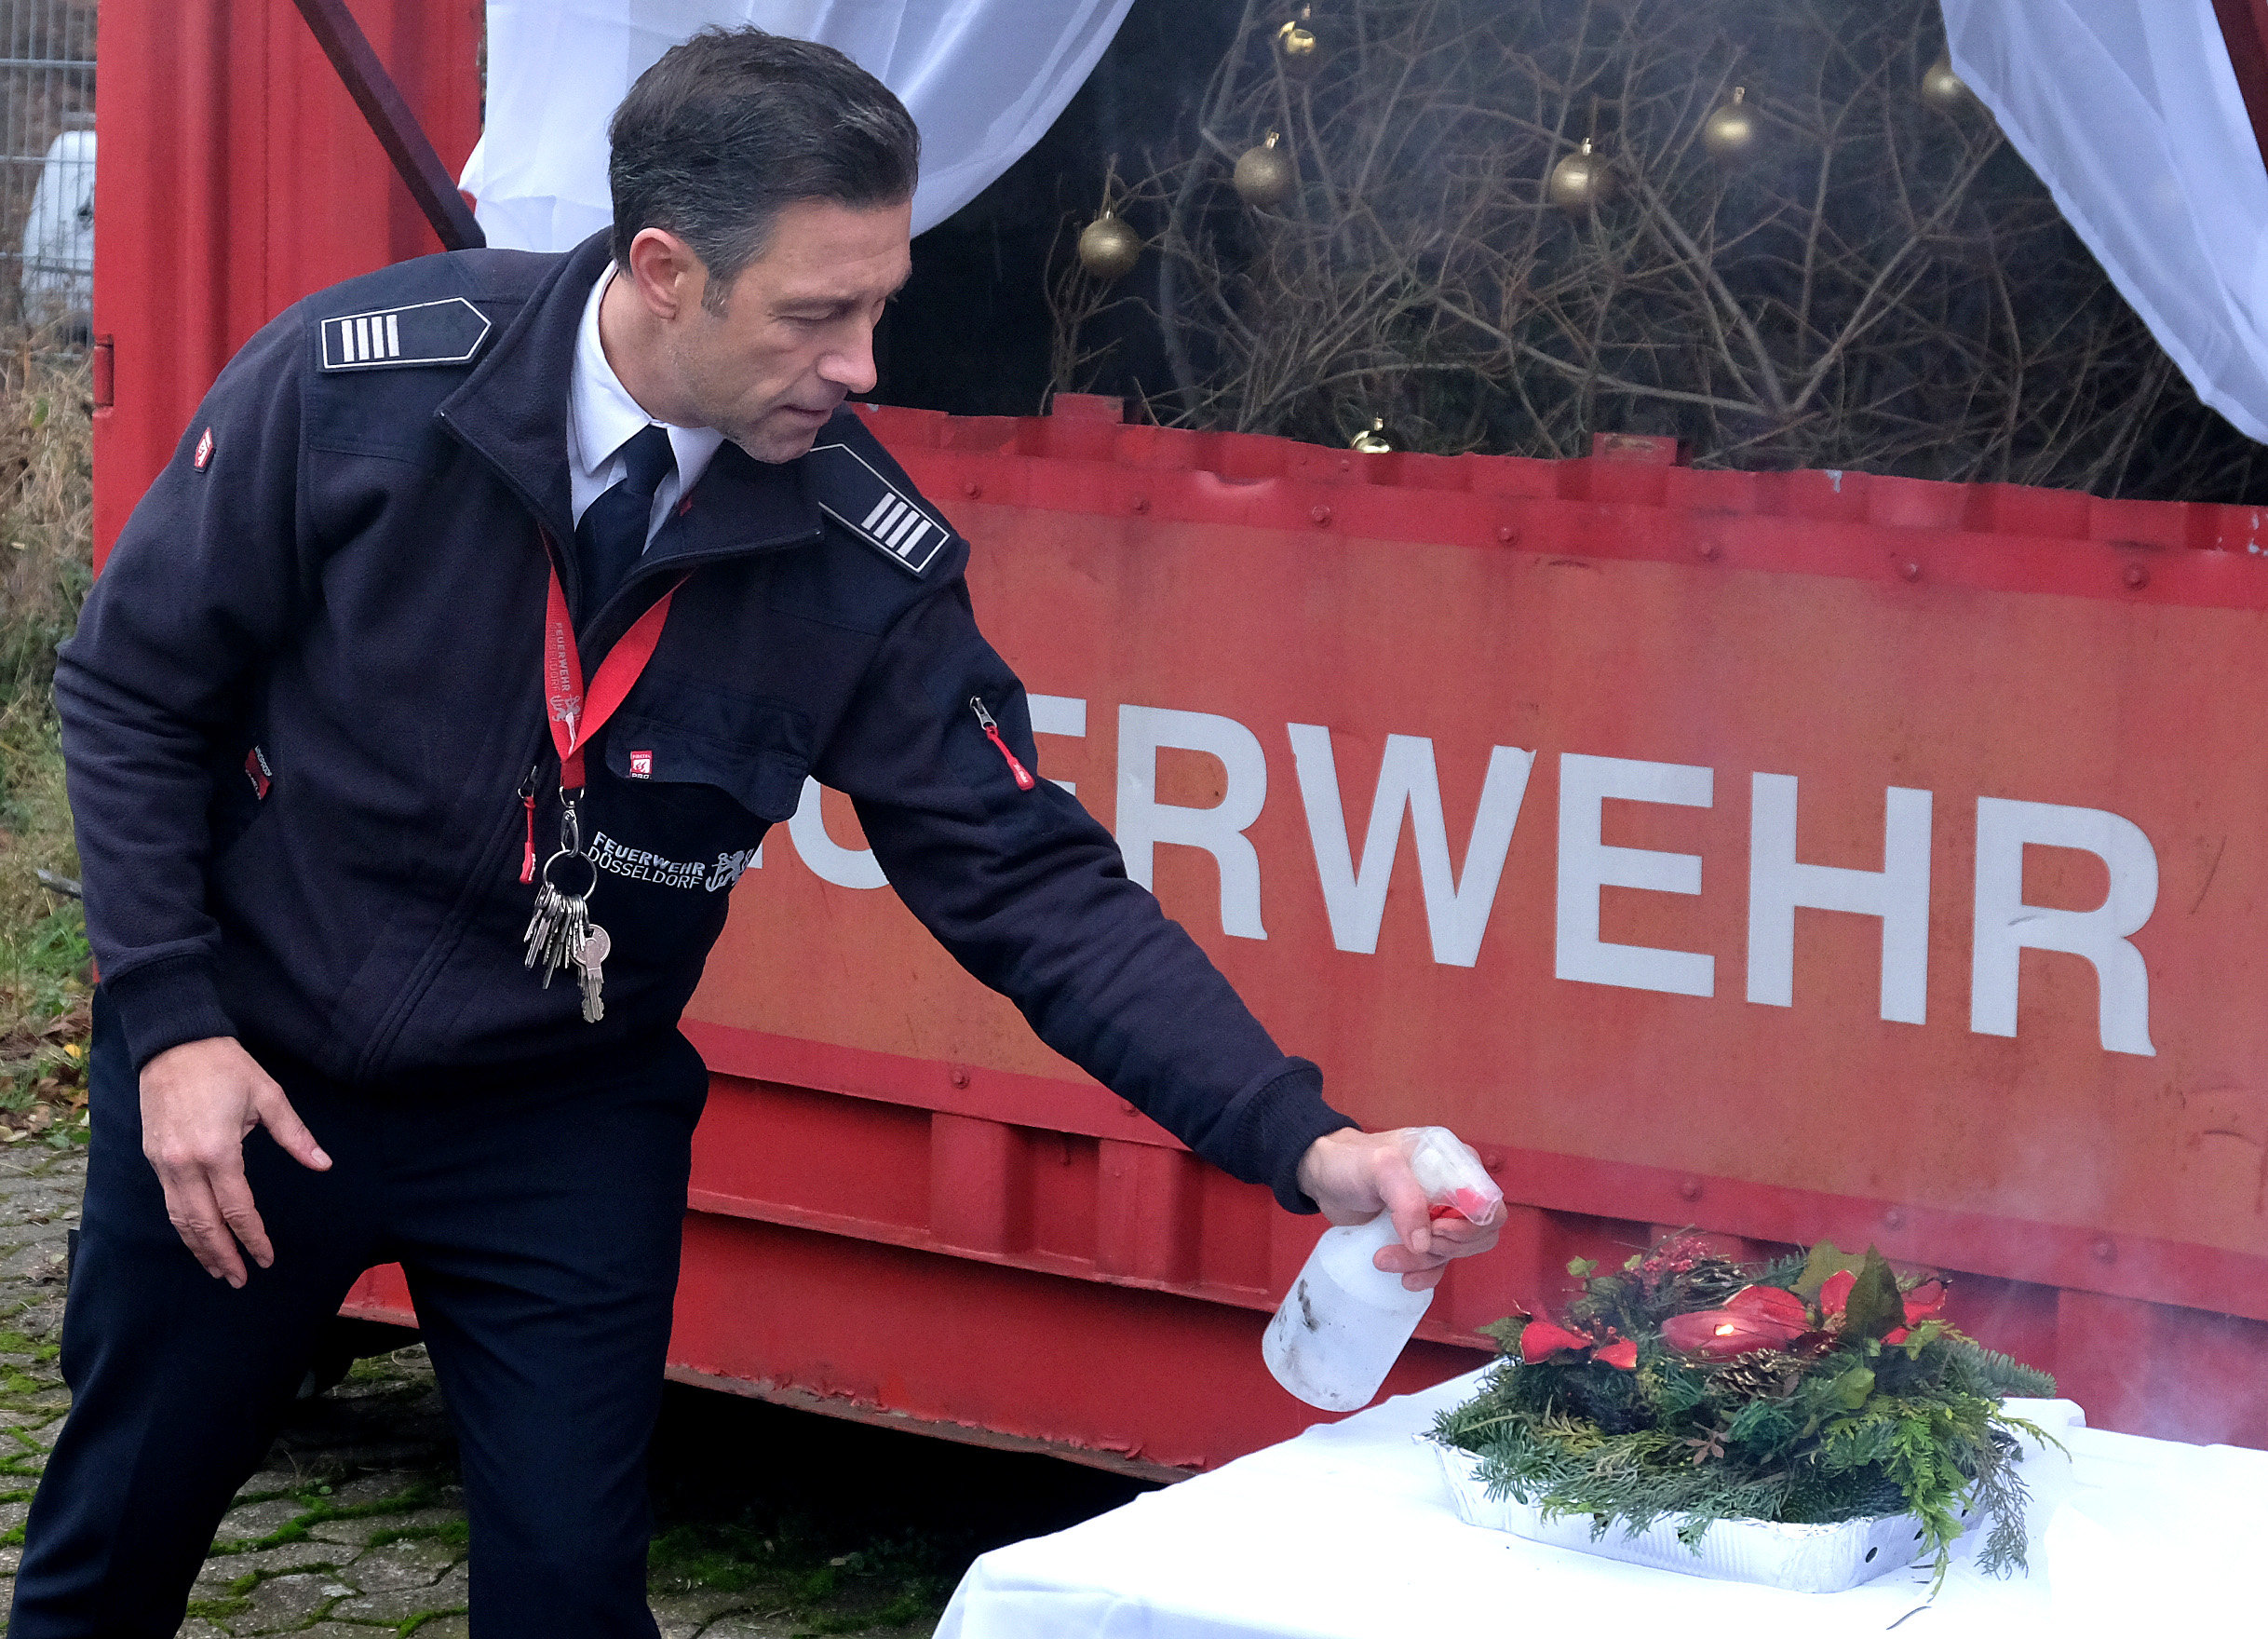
x: 49, y: 165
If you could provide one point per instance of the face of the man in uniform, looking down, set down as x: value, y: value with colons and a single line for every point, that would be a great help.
x: 797, y: 333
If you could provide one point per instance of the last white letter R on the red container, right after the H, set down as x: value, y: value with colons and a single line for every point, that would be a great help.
x: 2006, y: 927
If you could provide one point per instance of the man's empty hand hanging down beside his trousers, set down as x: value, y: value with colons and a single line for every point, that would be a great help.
x: 201, y: 1100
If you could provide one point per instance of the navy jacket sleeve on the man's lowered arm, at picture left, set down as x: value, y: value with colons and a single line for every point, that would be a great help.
x: 203, y: 585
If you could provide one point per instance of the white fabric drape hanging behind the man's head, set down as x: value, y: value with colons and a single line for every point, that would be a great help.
x: 983, y: 81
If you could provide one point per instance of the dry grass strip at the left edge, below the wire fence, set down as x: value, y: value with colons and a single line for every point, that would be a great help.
x: 46, y: 544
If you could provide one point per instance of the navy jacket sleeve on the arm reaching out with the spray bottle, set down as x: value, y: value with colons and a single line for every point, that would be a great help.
x: 1031, y: 896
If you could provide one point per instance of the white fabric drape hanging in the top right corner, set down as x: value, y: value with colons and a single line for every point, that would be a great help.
x: 2129, y: 110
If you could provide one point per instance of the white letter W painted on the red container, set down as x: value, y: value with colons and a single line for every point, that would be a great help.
x: 1355, y: 896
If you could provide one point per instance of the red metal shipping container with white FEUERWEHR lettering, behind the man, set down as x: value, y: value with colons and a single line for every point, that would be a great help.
x: 1791, y: 855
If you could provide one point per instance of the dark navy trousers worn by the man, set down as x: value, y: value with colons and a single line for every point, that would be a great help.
x: 539, y: 1222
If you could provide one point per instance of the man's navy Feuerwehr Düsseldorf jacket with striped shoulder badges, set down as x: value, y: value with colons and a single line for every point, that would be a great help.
x: 305, y: 703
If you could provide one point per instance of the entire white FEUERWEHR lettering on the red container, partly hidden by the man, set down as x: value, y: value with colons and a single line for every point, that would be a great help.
x: 1459, y: 902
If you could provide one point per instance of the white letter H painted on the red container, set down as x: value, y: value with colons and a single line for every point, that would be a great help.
x: 1899, y: 893
